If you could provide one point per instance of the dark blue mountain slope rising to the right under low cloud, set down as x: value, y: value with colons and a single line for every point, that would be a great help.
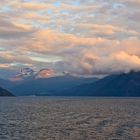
x: 121, y: 85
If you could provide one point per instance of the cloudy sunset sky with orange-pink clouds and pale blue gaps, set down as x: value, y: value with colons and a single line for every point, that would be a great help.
x: 82, y: 37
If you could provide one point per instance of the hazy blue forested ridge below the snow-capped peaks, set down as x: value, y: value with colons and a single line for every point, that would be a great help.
x: 48, y: 86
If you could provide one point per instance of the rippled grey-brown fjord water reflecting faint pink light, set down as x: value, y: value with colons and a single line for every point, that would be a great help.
x: 73, y: 118
